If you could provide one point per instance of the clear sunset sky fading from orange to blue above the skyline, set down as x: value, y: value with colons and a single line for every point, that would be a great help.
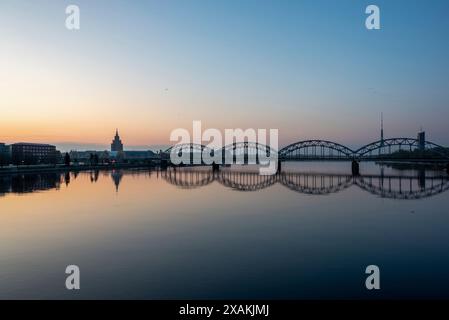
x: 308, y: 68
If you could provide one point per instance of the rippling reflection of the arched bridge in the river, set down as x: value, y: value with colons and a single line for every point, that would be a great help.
x: 385, y: 186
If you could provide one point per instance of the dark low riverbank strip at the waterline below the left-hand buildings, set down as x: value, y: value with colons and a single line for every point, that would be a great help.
x: 63, y: 168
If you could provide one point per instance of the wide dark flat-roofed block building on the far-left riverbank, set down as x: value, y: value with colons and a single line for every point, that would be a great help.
x: 33, y: 153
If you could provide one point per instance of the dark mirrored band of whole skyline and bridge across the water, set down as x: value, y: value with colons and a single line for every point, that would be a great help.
x: 395, y: 186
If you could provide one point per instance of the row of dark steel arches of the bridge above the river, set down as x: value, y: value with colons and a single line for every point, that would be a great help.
x: 251, y: 152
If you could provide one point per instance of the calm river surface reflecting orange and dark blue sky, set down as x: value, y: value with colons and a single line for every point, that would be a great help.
x: 307, y: 233
